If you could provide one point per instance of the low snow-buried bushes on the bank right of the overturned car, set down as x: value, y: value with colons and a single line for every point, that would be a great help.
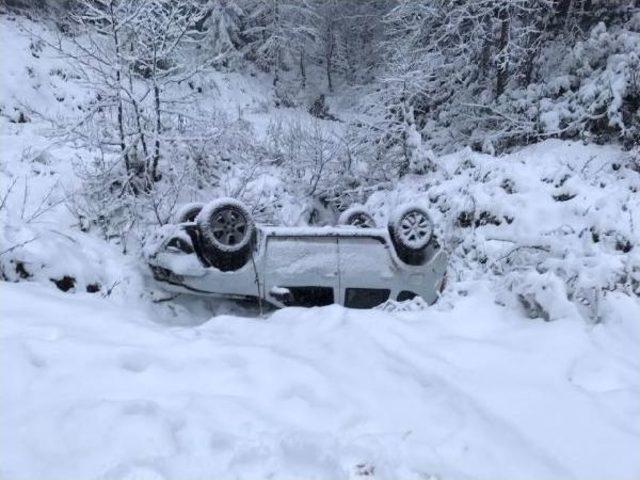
x: 554, y: 226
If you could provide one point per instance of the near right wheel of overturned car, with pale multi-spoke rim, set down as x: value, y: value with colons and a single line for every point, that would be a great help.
x: 411, y: 231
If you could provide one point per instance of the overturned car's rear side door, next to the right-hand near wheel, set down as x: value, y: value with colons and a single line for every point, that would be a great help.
x: 367, y: 272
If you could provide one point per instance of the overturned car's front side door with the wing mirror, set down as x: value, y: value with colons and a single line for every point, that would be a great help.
x: 306, y: 266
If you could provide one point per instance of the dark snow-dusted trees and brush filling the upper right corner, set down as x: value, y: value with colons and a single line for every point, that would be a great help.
x: 496, y: 76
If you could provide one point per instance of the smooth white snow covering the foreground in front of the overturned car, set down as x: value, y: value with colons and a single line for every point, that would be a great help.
x: 467, y: 389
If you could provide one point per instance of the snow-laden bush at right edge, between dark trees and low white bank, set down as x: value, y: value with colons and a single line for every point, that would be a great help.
x: 592, y: 93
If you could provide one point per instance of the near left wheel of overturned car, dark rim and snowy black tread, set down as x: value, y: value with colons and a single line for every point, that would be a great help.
x: 227, y: 233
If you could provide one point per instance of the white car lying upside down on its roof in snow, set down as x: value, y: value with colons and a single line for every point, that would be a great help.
x: 216, y: 249
